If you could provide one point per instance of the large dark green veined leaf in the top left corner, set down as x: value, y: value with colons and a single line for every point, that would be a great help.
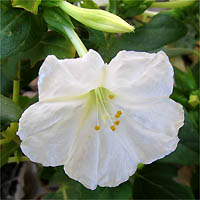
x: 18, y: 30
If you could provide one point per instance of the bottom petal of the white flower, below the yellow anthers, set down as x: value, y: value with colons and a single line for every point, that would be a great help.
x: 95, y: 156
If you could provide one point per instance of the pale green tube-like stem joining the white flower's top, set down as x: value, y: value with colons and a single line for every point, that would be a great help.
x: 76, y: 41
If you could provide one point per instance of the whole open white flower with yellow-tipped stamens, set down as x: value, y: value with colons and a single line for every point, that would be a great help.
x: 101, y: 120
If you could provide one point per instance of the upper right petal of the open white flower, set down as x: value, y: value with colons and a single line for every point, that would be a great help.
x: 143, y: 74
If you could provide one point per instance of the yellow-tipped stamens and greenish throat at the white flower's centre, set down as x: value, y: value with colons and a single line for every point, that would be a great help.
x: 103, y: 101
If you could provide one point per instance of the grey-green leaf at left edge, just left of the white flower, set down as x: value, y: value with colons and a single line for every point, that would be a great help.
x: 10, y: 112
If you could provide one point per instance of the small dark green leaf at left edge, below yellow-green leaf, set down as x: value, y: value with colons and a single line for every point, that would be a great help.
x: 6, y: 151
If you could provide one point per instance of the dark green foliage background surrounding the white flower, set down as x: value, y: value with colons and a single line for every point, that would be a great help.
x: 26, y: 40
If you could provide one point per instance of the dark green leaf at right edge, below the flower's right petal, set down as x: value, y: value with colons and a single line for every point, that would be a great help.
x: 187, y: 152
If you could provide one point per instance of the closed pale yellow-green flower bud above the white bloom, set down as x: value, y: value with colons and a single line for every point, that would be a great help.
x: 97, y: 19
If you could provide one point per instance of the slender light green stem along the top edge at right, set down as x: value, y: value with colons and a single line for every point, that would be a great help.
x: 172, y: 4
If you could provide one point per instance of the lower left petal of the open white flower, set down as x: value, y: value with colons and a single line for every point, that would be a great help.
x: 47, y: 131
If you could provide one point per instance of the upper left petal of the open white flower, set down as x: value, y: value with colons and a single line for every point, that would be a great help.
x: 69, y: 77
